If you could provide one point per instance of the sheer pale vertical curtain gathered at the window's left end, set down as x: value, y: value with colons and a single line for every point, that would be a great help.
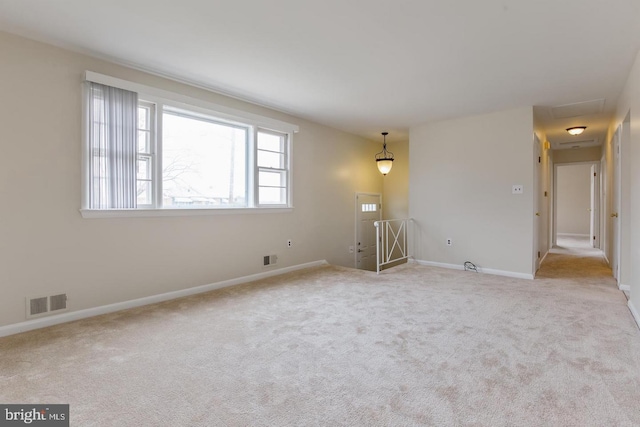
x: 113, y: 117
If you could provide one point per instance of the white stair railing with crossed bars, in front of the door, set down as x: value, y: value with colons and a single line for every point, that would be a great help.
x: 391, y: 241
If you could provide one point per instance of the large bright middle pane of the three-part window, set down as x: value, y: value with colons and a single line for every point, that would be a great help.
x: 203, y: 162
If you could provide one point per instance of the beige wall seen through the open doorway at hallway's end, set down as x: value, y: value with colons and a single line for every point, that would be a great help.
x: 574, y: 199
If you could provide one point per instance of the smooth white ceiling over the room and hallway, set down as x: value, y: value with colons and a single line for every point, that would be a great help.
x: 365, y: 66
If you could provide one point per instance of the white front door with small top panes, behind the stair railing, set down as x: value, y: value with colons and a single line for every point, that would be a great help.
x: 368, y: 211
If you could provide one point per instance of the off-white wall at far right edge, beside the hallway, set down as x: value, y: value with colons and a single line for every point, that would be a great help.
x: 629, y: 103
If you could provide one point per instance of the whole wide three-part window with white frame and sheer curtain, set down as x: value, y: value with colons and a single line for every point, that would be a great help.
x: 179, y: 156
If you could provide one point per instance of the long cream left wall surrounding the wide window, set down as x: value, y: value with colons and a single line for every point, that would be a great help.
x: 47, y: 247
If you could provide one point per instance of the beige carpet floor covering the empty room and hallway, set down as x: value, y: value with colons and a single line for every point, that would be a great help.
x: 330, y: 346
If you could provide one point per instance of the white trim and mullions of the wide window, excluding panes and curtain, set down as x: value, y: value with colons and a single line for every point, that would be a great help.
x: 178, y: 101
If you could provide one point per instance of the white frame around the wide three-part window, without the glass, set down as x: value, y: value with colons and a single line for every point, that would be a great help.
x: 161, y: 98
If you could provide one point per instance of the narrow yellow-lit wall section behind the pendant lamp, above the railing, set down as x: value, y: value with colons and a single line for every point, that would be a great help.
x: 396, y: 184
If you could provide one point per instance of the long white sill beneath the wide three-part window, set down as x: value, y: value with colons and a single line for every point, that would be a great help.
x: 146, y: 213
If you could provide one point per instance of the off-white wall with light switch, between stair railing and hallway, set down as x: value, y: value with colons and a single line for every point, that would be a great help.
x: 461, y: 174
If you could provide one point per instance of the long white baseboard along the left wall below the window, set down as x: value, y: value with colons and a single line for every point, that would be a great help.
x: 43, y: 322
